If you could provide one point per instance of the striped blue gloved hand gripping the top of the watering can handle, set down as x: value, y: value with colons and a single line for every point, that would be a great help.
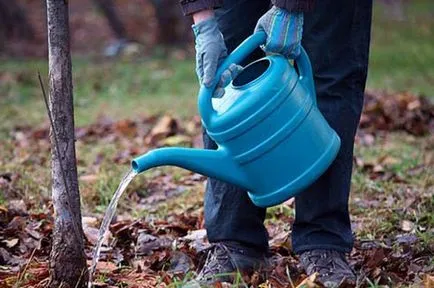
x: 284, y: 31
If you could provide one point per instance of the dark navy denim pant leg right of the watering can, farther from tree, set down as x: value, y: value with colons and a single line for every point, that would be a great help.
x: 336, y: 37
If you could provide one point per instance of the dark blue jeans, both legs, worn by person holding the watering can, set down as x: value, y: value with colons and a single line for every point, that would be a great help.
x: 336, y: 36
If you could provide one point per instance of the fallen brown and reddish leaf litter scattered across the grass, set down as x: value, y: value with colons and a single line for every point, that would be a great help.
x: 161, y: 250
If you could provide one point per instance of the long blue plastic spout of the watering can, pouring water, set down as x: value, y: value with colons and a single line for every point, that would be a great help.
x: 212, y: 163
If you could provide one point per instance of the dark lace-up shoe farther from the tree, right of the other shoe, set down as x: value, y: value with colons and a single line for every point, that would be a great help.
x: 332, y: 267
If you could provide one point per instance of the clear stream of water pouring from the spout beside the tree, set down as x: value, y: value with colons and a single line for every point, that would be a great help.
x: 110, y: 212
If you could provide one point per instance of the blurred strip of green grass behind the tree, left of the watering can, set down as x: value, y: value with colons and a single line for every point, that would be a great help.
x: 123, y: 89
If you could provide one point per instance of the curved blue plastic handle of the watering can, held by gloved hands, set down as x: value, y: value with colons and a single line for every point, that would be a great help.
x: 249, y: 45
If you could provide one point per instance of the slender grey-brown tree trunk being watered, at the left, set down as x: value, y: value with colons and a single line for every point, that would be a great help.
x: 67, y: 260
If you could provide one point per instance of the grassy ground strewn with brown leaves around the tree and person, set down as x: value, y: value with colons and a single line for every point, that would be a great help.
x: 127, y: 106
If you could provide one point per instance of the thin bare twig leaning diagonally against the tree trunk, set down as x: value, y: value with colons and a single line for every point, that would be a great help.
x: 56, y: 145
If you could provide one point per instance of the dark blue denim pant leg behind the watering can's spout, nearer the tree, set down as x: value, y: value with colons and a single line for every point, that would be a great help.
x: 229, y: 213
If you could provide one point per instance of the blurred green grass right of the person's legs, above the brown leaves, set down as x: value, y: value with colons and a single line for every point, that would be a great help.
x: 402, y: 52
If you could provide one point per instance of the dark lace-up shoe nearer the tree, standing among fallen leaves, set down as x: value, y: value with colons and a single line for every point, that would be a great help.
x: 224, y: 261
